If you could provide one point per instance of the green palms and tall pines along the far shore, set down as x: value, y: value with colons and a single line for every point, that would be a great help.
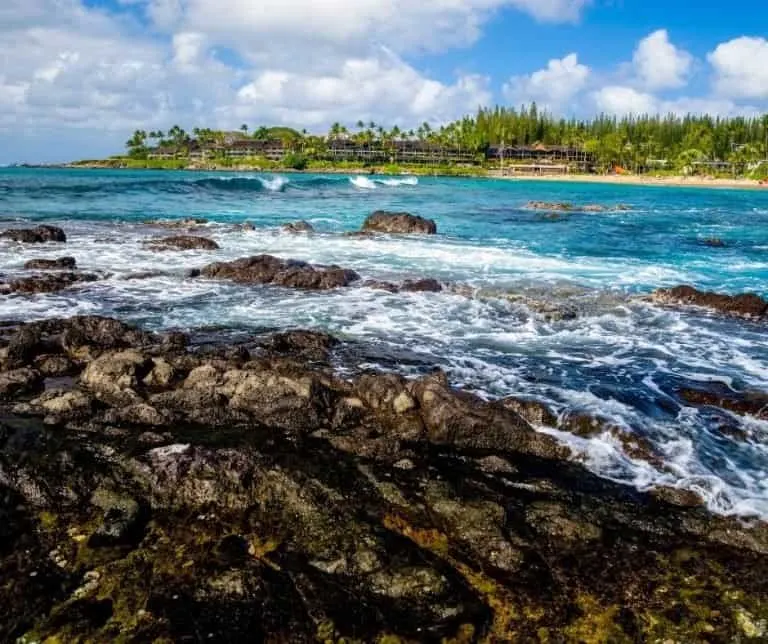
x: 657, y: 144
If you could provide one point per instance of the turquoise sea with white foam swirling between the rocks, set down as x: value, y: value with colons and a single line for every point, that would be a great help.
x: 620, y: 357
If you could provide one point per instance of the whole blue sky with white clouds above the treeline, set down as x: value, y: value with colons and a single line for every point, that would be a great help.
x: 78, y: 76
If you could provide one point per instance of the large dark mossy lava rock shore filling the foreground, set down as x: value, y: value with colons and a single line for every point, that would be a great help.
x: 182, y: 495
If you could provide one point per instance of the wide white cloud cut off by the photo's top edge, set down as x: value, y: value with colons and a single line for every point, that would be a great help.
x: 403, y: 25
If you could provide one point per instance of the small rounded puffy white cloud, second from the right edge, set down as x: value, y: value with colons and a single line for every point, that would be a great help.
x: 659, y: 64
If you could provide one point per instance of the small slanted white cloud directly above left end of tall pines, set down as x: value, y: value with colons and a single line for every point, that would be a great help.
x: 552, y: 87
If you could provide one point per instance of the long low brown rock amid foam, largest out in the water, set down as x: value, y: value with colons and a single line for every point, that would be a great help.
x: 266, y: 269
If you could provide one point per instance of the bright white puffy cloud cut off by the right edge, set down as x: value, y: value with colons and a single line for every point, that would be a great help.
x: 741, y: 68
